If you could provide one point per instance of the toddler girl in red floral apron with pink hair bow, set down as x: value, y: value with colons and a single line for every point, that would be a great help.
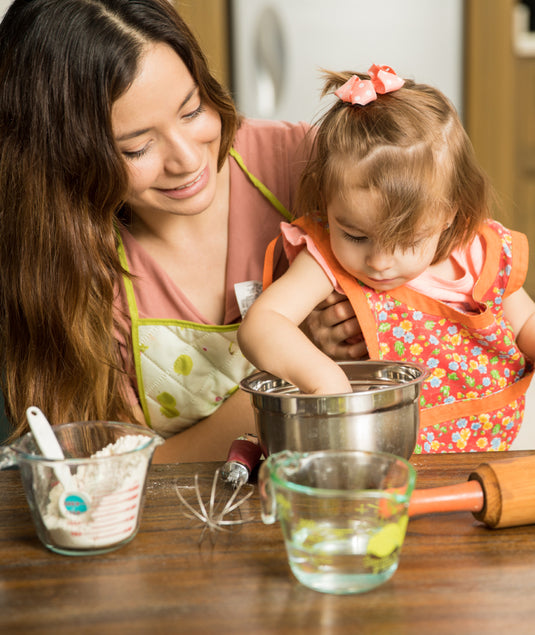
x: 396, y: 217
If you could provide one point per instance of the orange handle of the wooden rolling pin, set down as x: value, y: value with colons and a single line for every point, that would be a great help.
x: 462, y: 497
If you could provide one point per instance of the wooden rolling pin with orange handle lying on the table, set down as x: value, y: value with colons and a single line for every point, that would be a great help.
x: 501, y: 494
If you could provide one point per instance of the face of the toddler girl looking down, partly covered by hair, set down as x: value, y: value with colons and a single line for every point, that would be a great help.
x: 354, y: 225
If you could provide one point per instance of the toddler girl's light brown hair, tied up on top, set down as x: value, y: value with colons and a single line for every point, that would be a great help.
x: 410, y: 147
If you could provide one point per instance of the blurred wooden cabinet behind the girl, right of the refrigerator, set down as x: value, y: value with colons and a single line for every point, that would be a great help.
x: 500, y: 112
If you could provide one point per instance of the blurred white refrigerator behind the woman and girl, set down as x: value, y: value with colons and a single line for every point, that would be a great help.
x: 280, y: 46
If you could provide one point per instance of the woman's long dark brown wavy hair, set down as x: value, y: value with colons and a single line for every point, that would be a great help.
x: 63, y: 183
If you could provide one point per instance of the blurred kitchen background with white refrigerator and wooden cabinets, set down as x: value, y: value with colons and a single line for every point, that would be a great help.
x: 481, y: 53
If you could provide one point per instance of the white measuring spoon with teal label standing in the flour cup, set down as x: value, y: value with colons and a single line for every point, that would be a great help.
x: 71, y: 501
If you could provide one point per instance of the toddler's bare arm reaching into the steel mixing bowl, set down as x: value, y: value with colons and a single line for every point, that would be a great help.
x: 270, y: 338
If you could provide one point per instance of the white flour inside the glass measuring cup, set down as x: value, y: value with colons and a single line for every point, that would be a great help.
x: 114, y: 487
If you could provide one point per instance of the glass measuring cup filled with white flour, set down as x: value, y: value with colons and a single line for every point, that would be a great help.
x: 108, y: 463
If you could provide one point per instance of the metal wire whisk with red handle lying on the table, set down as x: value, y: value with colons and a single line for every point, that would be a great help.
x: 227, y: 492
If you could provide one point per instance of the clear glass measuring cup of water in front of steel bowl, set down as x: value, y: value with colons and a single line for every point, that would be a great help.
x: 343, y: 515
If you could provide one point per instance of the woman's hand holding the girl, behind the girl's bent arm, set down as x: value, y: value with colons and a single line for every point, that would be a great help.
x: 335, y: 330
